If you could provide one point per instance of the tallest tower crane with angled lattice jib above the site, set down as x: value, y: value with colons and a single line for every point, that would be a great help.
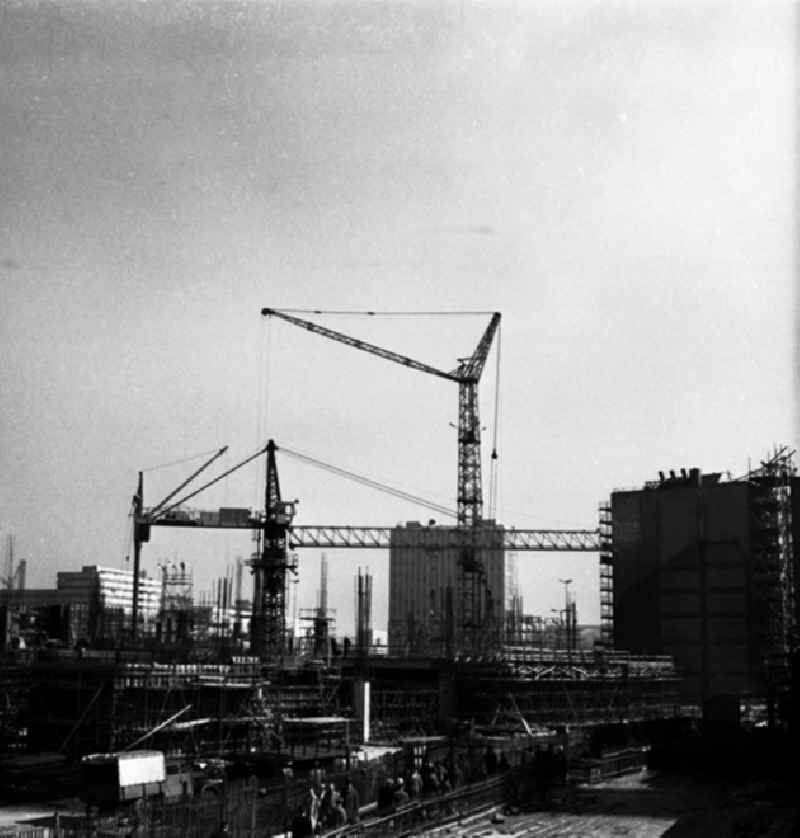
x: 469, y: 493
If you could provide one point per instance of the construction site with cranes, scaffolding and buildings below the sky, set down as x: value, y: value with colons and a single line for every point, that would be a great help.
x: 246, y: 698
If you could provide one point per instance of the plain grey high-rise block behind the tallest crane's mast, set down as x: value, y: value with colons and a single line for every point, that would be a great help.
x: 427, y: 600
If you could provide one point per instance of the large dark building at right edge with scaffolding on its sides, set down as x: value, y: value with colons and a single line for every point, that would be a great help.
x: 703, y: 568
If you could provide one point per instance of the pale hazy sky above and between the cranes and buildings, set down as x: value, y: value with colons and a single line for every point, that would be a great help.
x: 615, y: 178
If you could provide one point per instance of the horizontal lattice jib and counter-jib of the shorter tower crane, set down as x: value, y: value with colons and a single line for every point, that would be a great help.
x: 380, y: 538
